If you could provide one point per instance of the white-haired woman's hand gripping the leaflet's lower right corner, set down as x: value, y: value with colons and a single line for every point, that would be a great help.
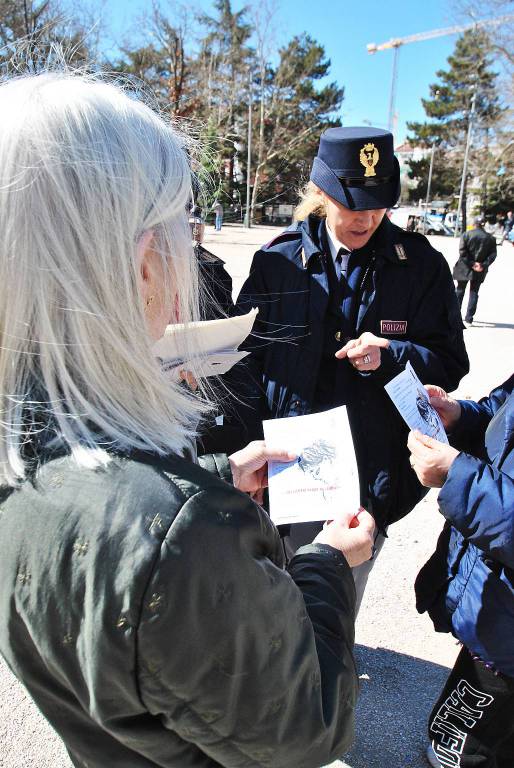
x: 353, y: 535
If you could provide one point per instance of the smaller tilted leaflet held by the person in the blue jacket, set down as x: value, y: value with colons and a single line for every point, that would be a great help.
x: 411, y: 398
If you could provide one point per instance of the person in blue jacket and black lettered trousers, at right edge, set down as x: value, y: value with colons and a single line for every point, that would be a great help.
x: 467, y: 586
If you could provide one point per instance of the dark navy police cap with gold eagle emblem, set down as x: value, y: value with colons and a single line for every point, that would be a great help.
x: 358, y: 168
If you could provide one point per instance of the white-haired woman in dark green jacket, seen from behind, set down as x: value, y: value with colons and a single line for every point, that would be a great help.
x: 143, y: 599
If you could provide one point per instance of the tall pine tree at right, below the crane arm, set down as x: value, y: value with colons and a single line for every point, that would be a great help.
x: 469, y: 75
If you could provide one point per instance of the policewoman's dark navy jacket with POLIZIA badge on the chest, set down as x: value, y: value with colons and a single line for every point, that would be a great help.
x: 406, y: 294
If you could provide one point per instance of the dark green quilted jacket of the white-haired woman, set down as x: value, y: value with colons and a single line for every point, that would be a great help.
x: 146, y: 609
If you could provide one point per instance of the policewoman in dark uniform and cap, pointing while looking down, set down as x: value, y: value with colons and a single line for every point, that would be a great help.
x: 345, y: 300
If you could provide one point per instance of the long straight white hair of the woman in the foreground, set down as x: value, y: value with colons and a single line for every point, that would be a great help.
x: 85, y: 170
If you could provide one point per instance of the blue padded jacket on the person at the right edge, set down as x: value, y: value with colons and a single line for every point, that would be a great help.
x: 467, y: 586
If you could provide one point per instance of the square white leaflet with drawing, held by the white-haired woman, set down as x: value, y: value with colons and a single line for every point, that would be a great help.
x: 323, y: 480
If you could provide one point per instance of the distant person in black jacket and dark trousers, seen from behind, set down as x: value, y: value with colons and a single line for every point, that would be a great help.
x: 477, y: 252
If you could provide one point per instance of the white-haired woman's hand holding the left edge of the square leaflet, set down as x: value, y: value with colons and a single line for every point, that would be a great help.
x: 250, y: 467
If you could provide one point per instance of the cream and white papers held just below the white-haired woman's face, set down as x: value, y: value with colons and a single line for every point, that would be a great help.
x: 212, y: 343
